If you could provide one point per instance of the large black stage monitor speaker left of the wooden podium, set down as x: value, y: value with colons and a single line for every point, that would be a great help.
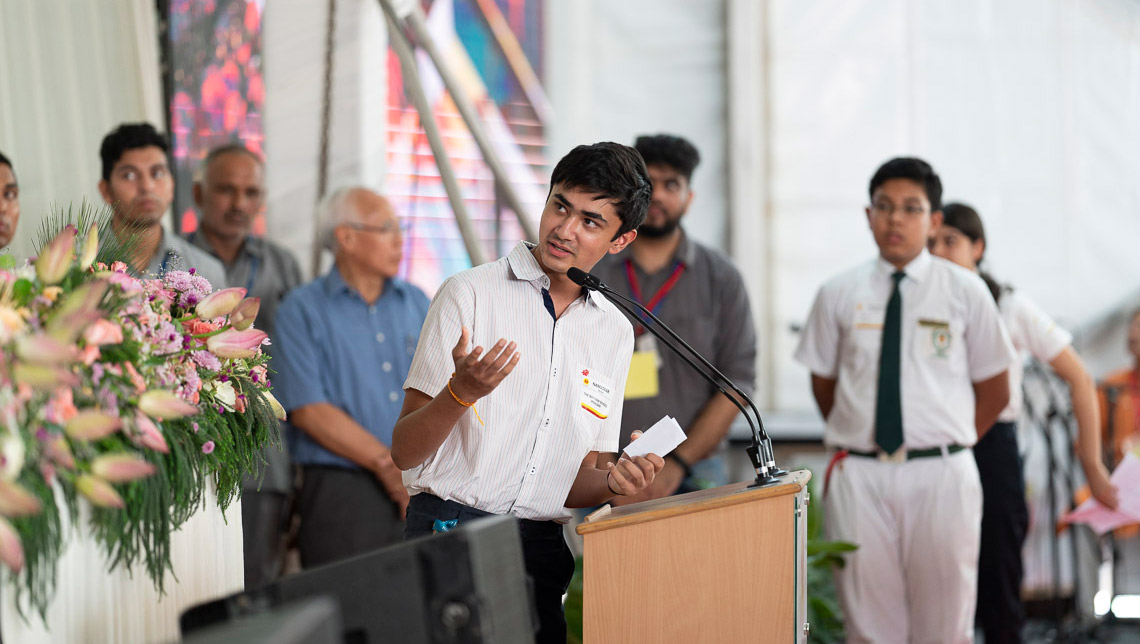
x: 468, y: 585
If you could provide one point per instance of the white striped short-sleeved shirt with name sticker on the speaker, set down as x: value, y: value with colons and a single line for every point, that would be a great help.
x: 563, y: 401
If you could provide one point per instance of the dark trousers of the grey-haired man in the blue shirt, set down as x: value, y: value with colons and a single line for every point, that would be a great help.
x: 344, y: 513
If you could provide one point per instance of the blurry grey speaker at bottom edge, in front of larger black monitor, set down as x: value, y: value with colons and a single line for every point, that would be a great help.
x: 316, y: 621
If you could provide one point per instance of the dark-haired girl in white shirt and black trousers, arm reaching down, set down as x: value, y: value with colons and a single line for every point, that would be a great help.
x: 1005, y: 516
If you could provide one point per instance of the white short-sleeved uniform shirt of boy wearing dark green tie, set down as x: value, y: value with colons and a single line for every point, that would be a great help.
x: 952, y: 337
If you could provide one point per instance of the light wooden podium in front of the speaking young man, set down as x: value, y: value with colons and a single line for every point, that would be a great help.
x: 715, y: 566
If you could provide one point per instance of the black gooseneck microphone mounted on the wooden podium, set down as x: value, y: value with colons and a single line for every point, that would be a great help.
x: 761, y: 453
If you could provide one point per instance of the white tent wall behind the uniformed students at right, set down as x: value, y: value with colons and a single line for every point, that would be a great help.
x: 1029, y: 110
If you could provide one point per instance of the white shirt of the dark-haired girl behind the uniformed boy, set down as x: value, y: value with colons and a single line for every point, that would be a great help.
x: 1031, y: 331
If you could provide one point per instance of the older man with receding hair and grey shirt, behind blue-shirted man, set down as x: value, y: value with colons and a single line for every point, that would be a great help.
x: 230, y: 194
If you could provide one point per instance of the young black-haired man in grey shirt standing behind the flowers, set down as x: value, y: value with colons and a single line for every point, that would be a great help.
x: 140, y: 188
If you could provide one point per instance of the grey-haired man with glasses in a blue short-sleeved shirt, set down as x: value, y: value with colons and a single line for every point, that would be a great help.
x: 345, y: 345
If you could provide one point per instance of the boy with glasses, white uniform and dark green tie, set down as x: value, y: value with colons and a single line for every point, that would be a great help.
x: 909, y: 365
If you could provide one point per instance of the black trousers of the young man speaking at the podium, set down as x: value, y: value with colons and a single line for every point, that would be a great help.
x: 545, y: 556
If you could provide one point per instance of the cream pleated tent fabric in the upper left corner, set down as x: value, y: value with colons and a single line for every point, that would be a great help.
x: 71, y: 71
